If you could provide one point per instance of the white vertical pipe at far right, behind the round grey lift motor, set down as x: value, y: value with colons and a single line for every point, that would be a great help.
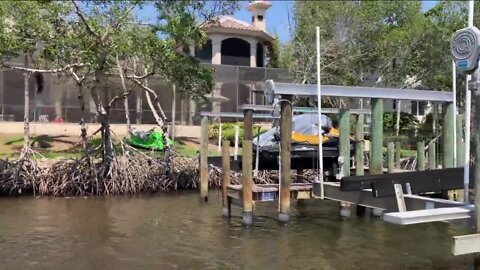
x: 468, y: 112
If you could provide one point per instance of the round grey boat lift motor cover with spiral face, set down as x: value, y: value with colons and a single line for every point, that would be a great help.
x: 465, y: 47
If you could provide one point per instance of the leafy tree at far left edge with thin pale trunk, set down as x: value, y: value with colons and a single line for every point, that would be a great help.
x: 25, y: 25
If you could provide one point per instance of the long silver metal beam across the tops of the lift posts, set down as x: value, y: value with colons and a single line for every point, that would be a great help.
x: 361, y: 92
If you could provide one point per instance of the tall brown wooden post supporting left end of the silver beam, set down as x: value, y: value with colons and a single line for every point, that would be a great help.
x: 285, y: 149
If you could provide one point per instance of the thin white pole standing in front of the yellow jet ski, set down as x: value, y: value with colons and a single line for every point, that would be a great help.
x: 319, y: 107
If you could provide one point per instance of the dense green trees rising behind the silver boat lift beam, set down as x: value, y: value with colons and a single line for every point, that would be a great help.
x: 365, y: 40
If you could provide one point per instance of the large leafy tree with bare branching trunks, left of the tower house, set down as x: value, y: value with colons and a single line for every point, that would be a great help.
x: 110, y: 40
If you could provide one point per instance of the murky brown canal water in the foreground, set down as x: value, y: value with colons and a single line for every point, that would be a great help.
x: 176, y: 231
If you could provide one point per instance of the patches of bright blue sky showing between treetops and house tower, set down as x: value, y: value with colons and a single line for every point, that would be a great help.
x: 276, y: 17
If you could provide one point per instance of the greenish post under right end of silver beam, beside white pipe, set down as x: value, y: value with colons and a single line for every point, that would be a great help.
x: 447, y: 136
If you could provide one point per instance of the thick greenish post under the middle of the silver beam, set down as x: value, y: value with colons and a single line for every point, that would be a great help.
x: 376, y: 161
